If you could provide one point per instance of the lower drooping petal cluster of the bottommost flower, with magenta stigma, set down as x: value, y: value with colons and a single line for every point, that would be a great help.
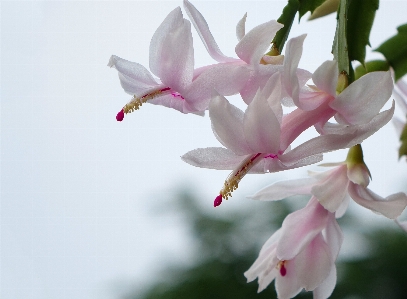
x: 300, y: 255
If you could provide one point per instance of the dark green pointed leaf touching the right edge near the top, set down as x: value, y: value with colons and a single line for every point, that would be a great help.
x: 395, y: 51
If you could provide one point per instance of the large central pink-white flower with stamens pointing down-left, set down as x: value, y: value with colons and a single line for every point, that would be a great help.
x: 258, y: 140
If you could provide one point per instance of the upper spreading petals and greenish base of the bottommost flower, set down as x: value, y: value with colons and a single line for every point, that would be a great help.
x: 335, y: 187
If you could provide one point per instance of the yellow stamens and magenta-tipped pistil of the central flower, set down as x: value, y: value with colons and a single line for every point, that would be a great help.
x: 232, y: 181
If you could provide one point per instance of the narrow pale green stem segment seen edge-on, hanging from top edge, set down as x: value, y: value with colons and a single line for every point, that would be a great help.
x: 340, y: 46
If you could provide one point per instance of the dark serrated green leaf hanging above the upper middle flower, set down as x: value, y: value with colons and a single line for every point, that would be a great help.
x: 287, y: 19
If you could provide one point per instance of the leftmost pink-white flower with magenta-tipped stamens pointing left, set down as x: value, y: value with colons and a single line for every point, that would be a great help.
x: 172, y: 60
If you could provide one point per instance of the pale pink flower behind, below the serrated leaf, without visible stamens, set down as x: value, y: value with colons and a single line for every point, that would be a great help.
x: 250, y: 50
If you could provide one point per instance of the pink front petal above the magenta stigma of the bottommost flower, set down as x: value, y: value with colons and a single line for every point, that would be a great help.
x: 300, y: 228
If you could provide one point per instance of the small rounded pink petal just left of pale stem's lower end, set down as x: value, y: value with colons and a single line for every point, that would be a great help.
x: 326, y: 77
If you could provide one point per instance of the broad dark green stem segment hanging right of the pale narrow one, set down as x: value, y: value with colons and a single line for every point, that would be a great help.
x: 360, y: 17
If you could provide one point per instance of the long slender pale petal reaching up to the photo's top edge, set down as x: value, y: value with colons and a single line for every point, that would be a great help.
x: 201, y: 26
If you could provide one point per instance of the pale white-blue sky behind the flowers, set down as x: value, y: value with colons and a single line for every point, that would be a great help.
x: 78, y: 188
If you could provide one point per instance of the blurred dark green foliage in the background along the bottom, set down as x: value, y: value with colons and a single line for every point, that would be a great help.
x: 227, y: 245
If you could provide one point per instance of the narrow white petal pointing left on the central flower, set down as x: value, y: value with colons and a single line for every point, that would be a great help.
x: 213, y: 158
